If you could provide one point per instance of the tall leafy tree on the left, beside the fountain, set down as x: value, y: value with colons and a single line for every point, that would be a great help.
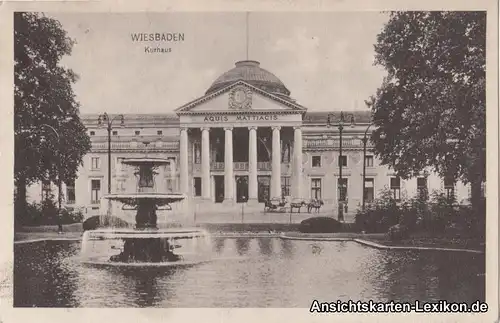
x: 43, y: 94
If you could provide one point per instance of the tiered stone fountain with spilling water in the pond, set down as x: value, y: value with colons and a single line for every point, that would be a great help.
x: 146, y: 244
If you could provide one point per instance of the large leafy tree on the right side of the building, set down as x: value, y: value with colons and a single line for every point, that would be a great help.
x: 430, y: 110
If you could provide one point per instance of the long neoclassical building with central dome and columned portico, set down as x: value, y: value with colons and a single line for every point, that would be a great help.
x: 245, y: 140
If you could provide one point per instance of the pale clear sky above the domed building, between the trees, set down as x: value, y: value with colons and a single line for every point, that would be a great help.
x: 324, y: 59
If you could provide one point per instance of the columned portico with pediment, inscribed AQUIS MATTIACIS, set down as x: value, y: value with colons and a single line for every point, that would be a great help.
x: 243, y: 149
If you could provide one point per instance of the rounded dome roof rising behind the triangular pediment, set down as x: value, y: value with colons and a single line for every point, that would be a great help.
x: 252, y: 73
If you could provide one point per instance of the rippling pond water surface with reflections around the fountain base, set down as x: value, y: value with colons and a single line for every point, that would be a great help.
x: 267, y: 272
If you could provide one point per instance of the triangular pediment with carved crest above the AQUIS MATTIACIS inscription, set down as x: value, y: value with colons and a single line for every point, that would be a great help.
x: 241, y: 97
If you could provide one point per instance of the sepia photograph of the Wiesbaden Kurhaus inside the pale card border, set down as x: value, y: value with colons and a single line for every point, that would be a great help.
x: 328, y: 161
